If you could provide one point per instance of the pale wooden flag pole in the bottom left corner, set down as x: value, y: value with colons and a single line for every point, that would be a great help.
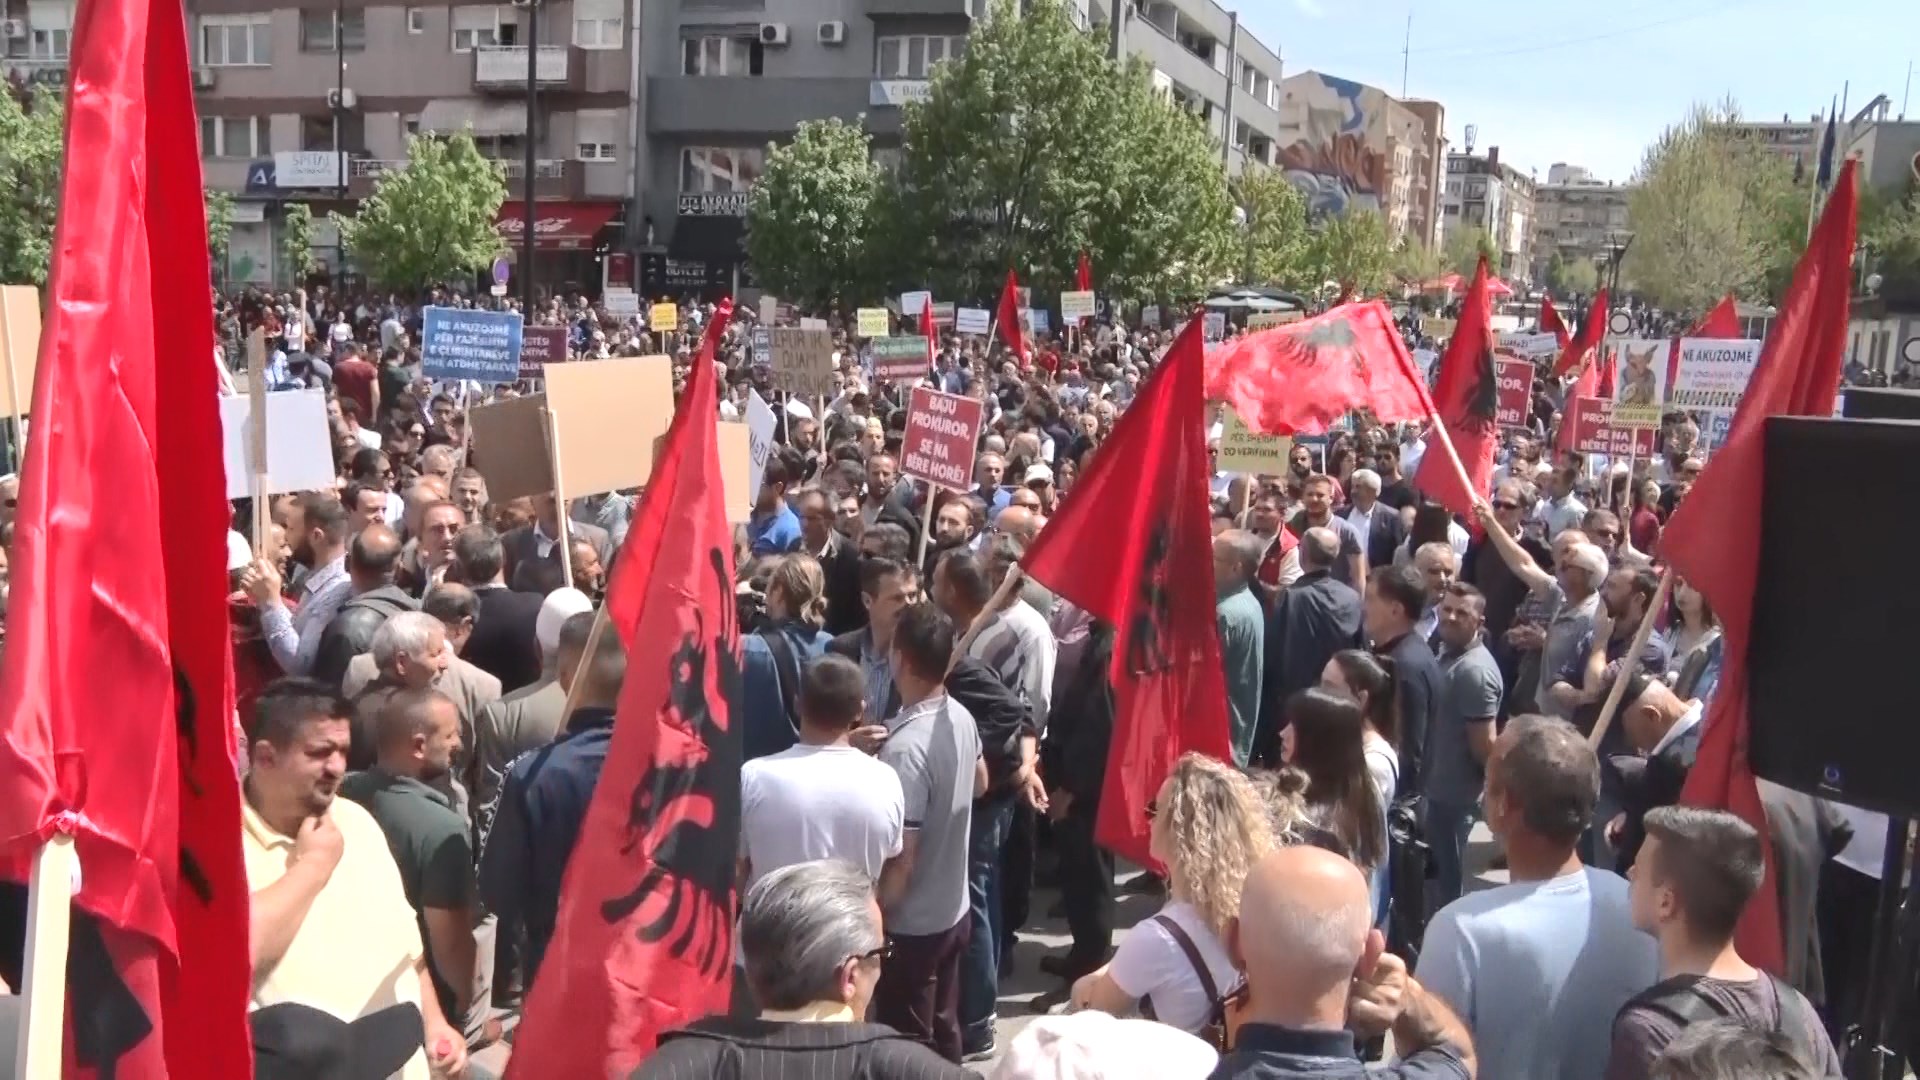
x: 45, y: 981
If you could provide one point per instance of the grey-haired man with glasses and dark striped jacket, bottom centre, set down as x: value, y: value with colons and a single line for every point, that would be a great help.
x: 813, y: 941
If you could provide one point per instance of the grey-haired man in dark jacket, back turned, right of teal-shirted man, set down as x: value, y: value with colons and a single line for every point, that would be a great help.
x: 1312, y: 620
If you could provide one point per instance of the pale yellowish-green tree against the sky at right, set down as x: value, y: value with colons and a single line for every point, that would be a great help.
x: 1714, y: 214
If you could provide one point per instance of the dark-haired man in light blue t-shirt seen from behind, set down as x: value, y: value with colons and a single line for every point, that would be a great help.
x: 1541, y: 968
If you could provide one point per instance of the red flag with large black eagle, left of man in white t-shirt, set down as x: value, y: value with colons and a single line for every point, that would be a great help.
x: 644, y: 939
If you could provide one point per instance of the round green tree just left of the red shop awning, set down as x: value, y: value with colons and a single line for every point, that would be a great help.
x: 431, y: 220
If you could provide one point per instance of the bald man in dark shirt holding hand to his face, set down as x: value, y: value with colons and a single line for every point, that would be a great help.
x: 1320, y: 975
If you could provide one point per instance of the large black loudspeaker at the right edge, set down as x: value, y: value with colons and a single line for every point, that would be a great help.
x: 1833, y: 666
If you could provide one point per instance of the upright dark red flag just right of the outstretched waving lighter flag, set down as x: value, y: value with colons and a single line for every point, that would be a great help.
x: 1466, y: 401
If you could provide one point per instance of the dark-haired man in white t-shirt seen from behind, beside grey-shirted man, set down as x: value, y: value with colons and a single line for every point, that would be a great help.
x: 823, y: 798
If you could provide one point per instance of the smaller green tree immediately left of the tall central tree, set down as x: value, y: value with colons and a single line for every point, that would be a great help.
x: 809, y: 218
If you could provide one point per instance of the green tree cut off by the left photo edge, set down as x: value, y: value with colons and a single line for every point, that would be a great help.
x: 30, y: 184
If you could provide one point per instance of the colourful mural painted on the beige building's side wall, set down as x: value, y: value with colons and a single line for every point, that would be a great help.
x: 1339, y: 149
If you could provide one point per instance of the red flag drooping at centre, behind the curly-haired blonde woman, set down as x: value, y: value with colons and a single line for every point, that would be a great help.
x: 1138, y: 524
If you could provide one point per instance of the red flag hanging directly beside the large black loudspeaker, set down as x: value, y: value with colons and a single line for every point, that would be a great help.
x: 1714, y: 539
